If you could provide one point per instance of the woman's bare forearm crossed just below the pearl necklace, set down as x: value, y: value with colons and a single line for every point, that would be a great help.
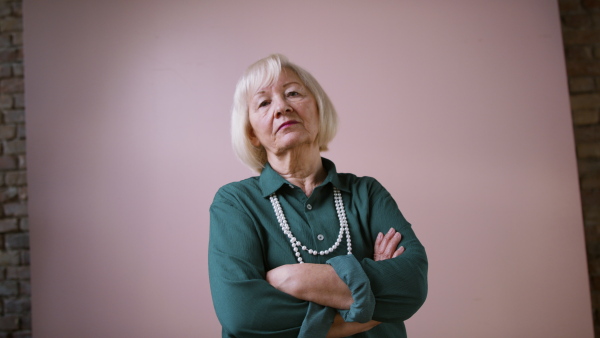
x: 318, y: 283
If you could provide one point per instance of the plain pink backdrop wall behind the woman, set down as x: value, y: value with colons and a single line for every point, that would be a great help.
x: 459, y: 107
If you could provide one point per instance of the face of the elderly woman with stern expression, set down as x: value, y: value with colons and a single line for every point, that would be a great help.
x: 284, y: 115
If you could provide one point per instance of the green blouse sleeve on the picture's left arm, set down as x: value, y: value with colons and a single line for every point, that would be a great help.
x: 245, y: 303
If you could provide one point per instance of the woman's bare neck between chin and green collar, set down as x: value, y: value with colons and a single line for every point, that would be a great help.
x: 302, y: 169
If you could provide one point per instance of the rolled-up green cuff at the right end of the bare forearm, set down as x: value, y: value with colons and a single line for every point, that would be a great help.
x: 352, y: 273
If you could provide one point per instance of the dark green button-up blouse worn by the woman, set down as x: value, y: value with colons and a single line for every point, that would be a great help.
x: 246, y: 241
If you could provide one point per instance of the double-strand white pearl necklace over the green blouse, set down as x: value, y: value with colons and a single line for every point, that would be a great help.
x: 339, y: 206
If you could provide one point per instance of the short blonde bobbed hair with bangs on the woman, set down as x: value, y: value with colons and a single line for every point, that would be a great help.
x: 263, y: 73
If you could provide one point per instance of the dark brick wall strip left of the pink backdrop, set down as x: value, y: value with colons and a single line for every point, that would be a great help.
x: 15, y: 300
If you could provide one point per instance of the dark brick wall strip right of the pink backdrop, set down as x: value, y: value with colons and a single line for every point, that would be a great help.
x: 581, y: 34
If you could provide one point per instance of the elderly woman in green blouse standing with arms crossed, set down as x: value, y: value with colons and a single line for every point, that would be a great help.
x: 353, y: 278
